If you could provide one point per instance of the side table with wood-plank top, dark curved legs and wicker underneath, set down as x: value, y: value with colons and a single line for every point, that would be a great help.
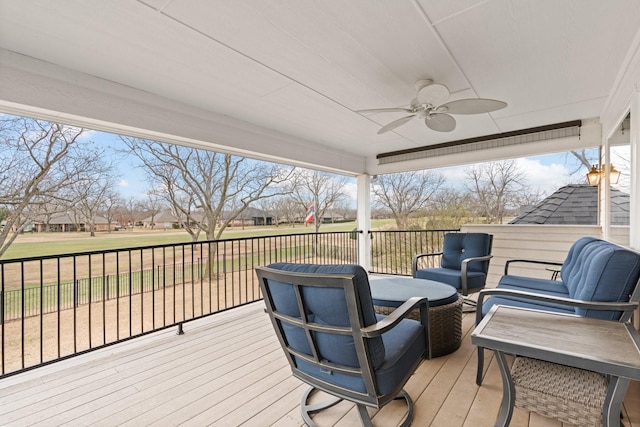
x: 548, y: 346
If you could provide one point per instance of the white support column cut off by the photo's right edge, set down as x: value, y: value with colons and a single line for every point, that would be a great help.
x: 634, y: 205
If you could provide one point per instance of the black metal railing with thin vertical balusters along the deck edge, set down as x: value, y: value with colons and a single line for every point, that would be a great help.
x: 54, y: 307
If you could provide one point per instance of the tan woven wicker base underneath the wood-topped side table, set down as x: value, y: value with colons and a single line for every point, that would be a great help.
x: 570, y: 395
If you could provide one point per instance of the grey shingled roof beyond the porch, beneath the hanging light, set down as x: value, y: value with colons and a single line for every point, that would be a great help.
x: 575, y: 204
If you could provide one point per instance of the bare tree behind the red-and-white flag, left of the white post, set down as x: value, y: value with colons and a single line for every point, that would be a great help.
x: 318, y: 191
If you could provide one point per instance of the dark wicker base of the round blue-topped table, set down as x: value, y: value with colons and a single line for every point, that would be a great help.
x: 445, y: 326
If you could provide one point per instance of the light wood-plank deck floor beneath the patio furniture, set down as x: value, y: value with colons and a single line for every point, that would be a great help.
x: 228, y: 370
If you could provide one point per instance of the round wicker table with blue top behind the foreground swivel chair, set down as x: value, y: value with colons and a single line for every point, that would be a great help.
x: 445, y: 307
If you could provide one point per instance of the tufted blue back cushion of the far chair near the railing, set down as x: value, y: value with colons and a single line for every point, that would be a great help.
x: 460, y: 246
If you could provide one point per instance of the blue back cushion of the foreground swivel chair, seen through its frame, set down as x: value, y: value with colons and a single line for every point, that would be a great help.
x: 327, y: 306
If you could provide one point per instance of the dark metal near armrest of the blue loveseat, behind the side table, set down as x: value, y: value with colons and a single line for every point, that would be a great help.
x: 626, y: 307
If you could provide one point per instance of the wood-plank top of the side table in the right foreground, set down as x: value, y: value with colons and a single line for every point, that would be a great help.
x: 604, y: 346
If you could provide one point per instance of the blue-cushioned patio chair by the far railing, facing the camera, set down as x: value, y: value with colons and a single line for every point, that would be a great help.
x: 464, y: 263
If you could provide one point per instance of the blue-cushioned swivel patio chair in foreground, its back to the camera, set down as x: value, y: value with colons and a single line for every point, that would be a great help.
x: 325, y: 321
